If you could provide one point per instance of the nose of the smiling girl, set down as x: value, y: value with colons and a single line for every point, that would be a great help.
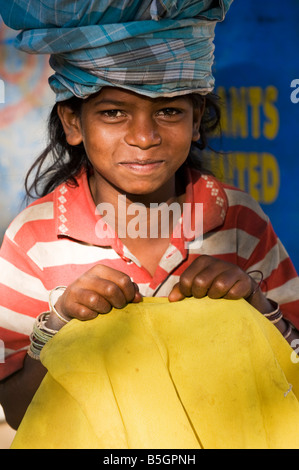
x: 143, y: 133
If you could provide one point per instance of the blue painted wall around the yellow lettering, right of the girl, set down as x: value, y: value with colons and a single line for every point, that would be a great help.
x: 258, y: 46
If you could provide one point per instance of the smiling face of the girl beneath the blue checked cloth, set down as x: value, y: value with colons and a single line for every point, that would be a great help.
x: 135, y: 144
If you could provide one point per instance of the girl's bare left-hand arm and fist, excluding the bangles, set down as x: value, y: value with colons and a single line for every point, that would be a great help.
x: 95, y: 292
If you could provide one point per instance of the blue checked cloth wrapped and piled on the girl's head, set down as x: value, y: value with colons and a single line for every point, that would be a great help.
x: 153, y: 47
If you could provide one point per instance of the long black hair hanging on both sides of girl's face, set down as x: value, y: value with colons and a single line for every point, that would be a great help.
x: 61, y: 162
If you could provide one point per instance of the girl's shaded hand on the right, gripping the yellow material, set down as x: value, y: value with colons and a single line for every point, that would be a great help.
x: 215, y: 278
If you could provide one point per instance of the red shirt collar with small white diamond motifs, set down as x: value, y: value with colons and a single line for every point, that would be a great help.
x: 76, y: 216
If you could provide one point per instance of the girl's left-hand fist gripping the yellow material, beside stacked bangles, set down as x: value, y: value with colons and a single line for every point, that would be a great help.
x: 96, y: 292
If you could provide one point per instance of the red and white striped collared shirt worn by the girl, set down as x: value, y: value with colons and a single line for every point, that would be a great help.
x: 56, y: 239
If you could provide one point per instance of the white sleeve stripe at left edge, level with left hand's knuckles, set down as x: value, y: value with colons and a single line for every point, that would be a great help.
x: 22, y: 282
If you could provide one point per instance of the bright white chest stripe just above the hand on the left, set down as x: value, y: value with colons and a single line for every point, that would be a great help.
x: 62, y: 252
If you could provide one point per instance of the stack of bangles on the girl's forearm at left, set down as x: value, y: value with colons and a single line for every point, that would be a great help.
x: 40, y: 335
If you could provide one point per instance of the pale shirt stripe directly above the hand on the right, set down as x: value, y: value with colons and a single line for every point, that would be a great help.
x: 226, y: 241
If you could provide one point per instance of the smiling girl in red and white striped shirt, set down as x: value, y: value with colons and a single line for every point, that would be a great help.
x: 123, y: 146
